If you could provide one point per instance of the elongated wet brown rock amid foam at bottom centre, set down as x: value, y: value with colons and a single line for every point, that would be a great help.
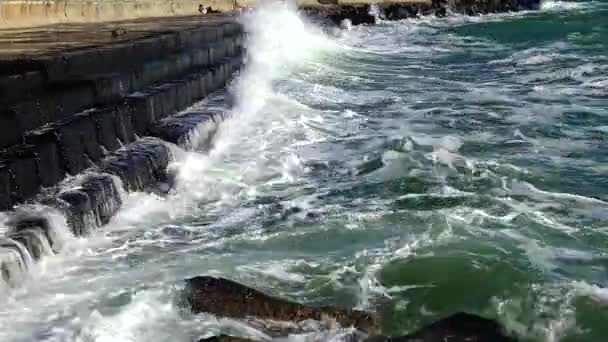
x: 227, y: 298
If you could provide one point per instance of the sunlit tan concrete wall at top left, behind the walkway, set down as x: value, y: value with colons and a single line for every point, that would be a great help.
x: 27, y: 13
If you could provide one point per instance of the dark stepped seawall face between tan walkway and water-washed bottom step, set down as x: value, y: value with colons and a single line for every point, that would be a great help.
x: 64, y: 112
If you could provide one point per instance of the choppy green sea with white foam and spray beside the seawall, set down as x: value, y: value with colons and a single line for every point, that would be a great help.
x: 414, y: 168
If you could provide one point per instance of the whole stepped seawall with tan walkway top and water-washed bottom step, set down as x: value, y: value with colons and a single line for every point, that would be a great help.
x: 85, y: 114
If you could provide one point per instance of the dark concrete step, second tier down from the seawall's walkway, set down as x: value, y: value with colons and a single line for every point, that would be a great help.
x: 59, y: 100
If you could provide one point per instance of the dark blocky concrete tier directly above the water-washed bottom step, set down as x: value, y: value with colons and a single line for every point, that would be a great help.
x: 70, y: 146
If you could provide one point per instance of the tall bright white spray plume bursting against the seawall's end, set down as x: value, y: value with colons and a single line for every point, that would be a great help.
x: 278, y: 41
